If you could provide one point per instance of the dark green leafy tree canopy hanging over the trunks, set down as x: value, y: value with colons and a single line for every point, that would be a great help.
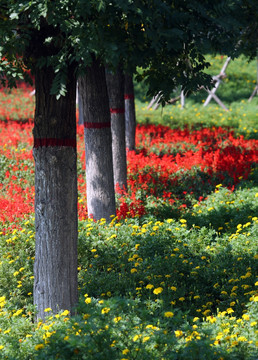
x: 166, y: 38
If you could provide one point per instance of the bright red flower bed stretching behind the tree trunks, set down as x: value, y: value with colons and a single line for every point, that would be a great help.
x: 169, y: 165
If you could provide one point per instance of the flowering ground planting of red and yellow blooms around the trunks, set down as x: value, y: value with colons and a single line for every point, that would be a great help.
x: 174, y: 275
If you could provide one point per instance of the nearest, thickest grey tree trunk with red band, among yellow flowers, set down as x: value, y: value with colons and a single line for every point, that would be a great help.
x: 55, y: 268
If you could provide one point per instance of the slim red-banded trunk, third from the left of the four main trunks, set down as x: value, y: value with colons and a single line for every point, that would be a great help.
x: 115, y: 85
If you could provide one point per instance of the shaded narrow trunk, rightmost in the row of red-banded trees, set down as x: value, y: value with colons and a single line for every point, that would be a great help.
x: 130, y: 118
